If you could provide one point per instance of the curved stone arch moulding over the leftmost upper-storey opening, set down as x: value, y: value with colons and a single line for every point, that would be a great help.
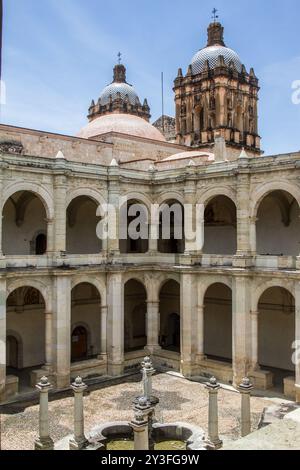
x: 39, y: 191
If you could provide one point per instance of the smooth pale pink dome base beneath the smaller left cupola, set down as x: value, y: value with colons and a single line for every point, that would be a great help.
x: 121, y: 123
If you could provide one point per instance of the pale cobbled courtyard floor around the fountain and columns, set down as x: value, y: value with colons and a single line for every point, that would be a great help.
x: 180, y: 400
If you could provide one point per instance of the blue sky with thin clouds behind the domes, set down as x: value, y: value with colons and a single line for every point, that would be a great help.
x: 59, y: 54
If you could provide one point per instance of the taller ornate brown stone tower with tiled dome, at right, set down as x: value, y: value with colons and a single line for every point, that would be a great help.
x: 217, y: 98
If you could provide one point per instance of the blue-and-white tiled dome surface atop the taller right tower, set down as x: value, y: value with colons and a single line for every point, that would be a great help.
x: 212, y: 53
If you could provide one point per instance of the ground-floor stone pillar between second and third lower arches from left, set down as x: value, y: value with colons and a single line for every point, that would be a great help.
x: 115, y: 324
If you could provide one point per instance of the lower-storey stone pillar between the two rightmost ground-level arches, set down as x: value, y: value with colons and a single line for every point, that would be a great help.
x: 241, y: 339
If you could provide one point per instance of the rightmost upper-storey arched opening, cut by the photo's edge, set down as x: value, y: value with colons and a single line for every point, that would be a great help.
x: 278, y: 225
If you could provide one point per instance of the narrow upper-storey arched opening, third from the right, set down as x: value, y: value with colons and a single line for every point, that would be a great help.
x: 171, y: 228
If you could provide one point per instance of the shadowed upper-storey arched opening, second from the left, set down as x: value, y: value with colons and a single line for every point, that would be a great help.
x: 81, y: 230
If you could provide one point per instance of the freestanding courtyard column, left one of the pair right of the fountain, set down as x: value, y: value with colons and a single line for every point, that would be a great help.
x: 213, y: 419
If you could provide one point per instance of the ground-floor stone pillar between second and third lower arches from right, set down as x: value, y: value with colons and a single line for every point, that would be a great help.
x: 188, y: 320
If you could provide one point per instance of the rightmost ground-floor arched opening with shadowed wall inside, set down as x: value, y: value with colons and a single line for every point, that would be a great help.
x: 276, y: 333
